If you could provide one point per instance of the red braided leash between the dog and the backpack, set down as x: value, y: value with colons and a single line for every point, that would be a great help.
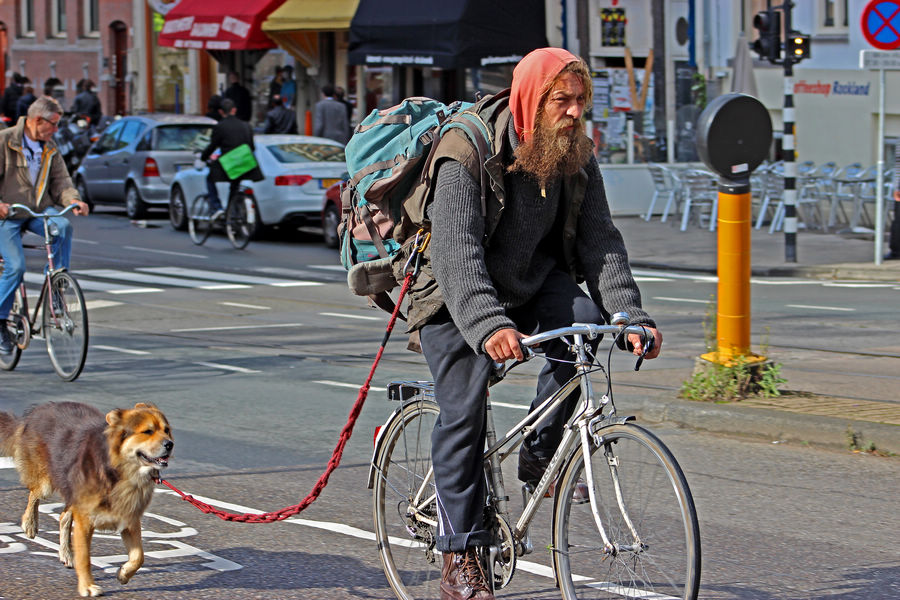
x: 290, y: 511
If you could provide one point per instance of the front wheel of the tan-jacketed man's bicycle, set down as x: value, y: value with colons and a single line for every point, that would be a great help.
x: 65, y: 326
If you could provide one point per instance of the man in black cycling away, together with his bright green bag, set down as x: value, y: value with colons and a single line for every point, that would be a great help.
x: 234, y: 140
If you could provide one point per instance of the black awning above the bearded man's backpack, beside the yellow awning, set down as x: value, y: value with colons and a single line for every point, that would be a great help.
x: 449, y: 34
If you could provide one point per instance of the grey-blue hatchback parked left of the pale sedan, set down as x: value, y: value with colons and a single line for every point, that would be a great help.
x: 136, y: 158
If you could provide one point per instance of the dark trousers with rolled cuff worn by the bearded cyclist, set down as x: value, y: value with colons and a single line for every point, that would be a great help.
x: 461, y: 376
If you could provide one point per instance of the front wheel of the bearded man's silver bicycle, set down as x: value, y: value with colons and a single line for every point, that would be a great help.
x: 647, y: 512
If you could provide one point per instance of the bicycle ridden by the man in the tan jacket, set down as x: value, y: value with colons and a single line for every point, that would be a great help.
x: 64, y: 322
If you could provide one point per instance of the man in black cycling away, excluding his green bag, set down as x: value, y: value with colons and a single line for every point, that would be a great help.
x: 228, y: 134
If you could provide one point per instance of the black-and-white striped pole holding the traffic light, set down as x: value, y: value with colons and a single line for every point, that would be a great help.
x: 787, y: 145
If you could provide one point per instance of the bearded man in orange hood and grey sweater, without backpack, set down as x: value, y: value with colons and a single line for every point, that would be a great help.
x: 506, y: 266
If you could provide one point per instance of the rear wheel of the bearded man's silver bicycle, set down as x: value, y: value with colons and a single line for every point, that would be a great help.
x: 405, y: 508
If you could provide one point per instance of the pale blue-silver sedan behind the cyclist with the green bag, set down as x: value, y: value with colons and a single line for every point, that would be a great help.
x: 296, y: 169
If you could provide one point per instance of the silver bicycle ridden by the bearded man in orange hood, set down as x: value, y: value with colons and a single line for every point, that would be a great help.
x: 636, y: 536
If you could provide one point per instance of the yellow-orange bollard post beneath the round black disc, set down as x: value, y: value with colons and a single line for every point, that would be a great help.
x: 733, y: 313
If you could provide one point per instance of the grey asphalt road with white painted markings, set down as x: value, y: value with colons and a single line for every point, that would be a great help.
x: 257, y: 382
